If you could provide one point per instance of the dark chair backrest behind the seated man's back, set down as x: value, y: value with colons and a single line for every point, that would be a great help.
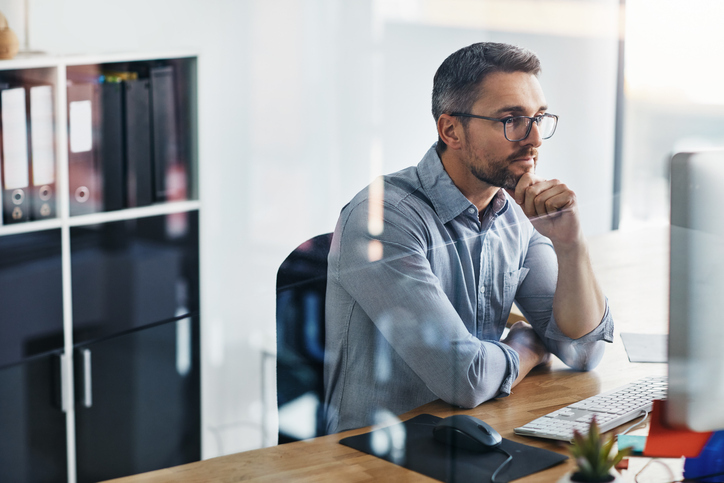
x: 301, y: 290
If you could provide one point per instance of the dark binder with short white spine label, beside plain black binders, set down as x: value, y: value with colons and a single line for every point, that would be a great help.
x: 83, y: 170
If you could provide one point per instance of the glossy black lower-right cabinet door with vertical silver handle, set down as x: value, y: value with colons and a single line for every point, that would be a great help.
x: 138, y: 401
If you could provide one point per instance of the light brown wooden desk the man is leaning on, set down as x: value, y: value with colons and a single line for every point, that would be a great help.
x: 633, y: 270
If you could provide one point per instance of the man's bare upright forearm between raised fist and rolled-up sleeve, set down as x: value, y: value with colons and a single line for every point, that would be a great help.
x: 578, y: 304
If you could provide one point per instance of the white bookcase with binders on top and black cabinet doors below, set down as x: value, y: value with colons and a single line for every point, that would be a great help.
x: 104, y: 327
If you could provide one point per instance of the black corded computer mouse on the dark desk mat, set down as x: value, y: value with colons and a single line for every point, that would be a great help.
x: 463, y: 431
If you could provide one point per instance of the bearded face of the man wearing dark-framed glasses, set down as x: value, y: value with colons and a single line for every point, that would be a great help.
x: 488, y: 155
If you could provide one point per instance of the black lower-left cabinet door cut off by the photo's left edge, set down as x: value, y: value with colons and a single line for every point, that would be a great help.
x: 32, y: 425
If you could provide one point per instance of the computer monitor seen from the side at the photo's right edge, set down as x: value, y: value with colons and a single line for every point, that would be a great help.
x: 696, y: 321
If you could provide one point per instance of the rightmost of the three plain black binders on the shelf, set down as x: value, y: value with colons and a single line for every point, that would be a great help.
x: 165, y: 135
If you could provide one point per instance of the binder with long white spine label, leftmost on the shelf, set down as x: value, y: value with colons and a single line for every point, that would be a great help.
x: 15, y: 158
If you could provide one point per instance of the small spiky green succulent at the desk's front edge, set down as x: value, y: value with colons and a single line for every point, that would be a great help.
x: 595, y: 457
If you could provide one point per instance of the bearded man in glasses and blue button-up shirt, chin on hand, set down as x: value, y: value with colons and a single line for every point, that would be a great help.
x: 426, y: 264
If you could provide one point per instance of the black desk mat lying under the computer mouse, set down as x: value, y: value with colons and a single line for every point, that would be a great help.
x: 410, y: 444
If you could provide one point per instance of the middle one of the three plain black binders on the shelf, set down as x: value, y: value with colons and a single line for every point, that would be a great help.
x: 139, y: 176
